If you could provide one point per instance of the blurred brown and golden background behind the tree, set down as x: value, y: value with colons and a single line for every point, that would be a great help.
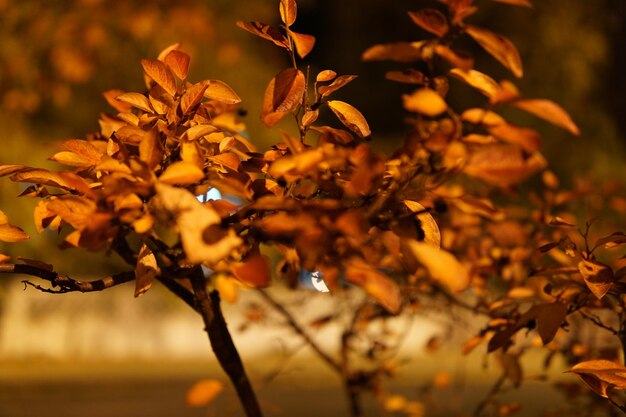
x: 56, y: 58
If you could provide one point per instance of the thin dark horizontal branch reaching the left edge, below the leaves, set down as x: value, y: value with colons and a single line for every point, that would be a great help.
x: 65, y: 283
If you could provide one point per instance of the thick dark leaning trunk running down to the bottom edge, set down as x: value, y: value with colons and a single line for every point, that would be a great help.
x: 222, y: 343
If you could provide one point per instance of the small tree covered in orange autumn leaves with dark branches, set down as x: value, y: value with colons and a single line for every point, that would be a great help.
x: 442, y: 220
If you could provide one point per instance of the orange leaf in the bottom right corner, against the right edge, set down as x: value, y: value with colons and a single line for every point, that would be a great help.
x: 601, y: 375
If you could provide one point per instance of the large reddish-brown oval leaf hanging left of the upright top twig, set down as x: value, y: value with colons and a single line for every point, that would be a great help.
x: 282, y: 96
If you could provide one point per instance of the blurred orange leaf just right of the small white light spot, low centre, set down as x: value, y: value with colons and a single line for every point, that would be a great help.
x: 376, y: 284
